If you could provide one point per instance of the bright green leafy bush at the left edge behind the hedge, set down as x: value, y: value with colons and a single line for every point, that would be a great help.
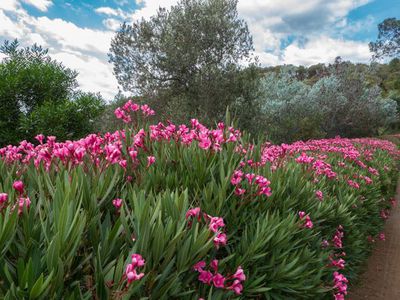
x: 38, y: 94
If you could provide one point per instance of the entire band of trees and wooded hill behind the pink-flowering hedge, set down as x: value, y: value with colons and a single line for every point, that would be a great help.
x: 195, y: 60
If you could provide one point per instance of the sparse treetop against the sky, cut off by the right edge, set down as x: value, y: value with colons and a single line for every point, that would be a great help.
x: 388, y: 42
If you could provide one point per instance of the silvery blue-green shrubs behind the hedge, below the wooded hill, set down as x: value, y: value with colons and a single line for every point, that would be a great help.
x: 342, y: 103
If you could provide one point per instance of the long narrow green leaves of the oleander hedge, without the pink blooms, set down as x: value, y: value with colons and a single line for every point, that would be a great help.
x: 72, y: 244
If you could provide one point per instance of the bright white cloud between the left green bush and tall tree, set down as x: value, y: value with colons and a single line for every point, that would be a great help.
x: 81, y: 49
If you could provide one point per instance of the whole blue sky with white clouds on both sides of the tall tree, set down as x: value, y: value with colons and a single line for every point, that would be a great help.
x: 300, y: 32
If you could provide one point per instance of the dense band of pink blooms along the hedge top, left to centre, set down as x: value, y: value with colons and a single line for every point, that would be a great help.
x: 102, y: 151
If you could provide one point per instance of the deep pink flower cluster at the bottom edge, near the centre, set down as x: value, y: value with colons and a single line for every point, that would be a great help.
x: 232, y: 282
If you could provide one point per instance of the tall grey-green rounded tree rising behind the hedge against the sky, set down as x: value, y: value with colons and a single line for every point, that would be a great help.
x: 186, y: 57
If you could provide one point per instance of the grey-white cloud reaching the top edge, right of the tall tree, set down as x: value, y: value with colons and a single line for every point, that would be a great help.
x: 271, y: 21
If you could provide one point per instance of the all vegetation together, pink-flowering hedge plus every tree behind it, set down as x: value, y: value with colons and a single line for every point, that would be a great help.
x: 113, y: 201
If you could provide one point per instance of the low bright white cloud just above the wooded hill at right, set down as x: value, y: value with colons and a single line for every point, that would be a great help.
x: 324, y: 49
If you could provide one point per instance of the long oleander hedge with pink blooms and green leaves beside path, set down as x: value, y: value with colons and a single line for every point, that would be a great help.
x: 171, y: 211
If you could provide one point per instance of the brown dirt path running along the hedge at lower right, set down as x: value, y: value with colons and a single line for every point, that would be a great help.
x: 381, y: 281
